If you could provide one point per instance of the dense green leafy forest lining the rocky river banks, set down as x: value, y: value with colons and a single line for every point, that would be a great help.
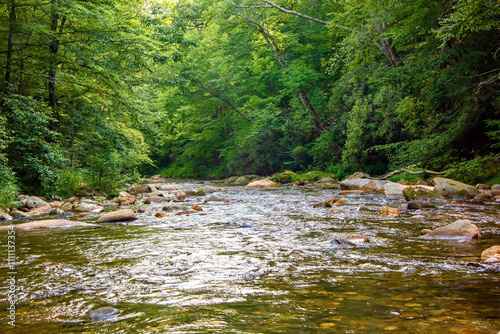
x: 101, y: 92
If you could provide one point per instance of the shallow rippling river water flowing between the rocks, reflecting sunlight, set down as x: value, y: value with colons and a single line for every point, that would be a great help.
x: 265, y: 263
